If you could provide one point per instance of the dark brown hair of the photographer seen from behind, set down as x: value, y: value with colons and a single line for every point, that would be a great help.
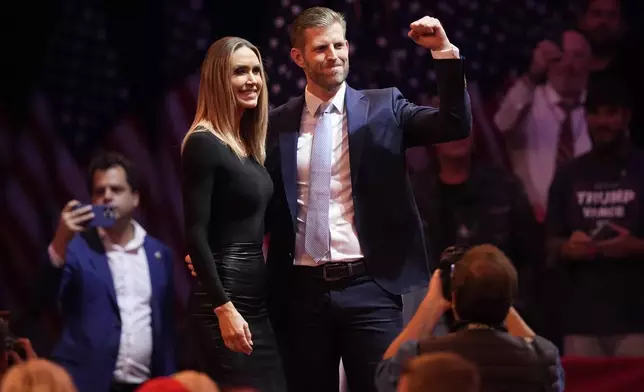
x: 484, y: 286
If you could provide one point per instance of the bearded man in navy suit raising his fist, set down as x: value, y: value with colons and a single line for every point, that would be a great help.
x: 345, y: 236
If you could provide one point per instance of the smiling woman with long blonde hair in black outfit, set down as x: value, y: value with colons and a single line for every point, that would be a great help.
x: 226, y: 190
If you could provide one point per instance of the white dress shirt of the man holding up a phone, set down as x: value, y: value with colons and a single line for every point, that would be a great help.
x: 130, y: 273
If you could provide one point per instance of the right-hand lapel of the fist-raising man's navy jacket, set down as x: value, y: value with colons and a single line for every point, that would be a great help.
x: 357, y: 108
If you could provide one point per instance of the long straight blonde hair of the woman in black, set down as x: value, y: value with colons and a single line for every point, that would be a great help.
x: 217, y: 104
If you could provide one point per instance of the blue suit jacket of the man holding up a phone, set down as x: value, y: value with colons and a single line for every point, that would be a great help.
x: 91, y: 321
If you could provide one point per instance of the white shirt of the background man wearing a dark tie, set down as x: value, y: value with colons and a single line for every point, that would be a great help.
x: 532, y: 137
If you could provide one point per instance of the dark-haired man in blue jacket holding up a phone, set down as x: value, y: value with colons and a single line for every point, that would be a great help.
x: 114, y: 286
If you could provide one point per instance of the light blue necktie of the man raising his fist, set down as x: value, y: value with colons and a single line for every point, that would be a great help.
x: 317, y: 235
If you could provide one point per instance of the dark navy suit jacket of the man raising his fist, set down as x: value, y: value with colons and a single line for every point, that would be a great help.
x: 382, y: 124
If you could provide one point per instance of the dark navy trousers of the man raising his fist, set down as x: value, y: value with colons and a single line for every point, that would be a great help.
x: 353, y: 319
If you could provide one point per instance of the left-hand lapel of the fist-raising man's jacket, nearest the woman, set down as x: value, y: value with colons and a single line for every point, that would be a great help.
x: 289, y: 132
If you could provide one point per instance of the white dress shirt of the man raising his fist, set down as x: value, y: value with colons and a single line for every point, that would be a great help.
x: 345, y: 246
